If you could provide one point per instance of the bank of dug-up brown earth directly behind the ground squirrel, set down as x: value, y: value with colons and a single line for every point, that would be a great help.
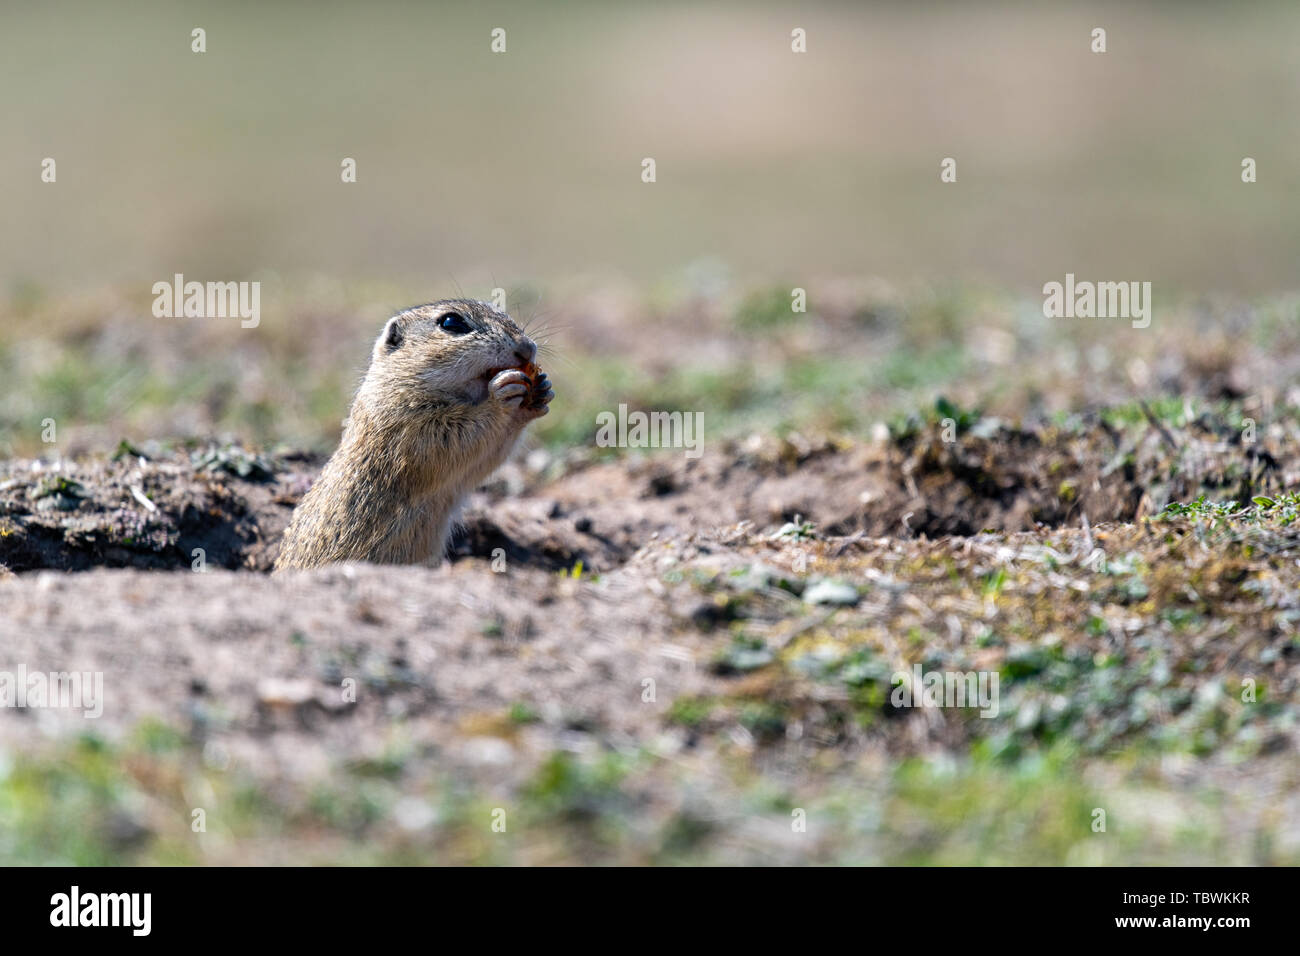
x: 228, y: 508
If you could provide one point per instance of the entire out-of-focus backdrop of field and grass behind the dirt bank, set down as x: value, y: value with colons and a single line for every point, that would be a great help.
x: 523, y: 171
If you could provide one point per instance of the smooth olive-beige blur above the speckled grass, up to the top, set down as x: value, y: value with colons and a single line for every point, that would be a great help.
x: 488, y: 170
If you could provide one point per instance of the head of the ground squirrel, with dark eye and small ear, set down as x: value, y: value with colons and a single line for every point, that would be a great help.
x: 445, y: 353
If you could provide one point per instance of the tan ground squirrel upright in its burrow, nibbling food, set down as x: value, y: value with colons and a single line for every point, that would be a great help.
x: 448, y: 393
